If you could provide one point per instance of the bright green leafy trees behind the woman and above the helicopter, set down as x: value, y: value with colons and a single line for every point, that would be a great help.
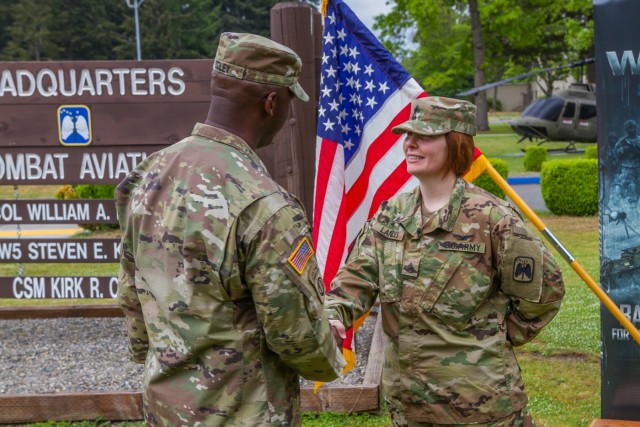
x: 504, y: 37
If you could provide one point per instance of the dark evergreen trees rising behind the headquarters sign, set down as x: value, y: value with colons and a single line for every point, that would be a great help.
x: 33, y: 30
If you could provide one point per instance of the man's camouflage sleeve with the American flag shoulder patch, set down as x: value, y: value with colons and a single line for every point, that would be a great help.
x: 288, y: 292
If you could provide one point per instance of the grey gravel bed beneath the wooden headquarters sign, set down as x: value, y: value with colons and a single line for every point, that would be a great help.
x: 89, y: 354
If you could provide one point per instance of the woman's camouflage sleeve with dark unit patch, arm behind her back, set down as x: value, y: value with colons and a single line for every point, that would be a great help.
x: 530, y: 277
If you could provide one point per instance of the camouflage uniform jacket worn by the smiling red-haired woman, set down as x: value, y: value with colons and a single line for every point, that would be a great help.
x: 457, y: 291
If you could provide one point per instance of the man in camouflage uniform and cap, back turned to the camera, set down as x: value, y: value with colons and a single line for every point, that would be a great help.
x: 218, y: 279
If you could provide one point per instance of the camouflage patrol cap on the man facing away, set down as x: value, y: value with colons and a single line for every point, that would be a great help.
x: 256, y: 58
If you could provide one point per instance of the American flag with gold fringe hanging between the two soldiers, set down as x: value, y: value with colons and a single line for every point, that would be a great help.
x: 364, y: 92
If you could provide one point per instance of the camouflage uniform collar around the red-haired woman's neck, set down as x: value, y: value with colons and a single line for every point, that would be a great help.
x: 444, y: 218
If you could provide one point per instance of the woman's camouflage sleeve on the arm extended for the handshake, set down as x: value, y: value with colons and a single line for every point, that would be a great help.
x: 355, y: 288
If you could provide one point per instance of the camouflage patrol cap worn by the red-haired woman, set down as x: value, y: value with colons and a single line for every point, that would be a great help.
x: 436, y: 115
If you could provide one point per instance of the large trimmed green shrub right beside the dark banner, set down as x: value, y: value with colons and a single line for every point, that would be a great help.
x: 570, y: 187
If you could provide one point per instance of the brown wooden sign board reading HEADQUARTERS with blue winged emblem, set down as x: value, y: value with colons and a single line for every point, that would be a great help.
x: 101, y: 103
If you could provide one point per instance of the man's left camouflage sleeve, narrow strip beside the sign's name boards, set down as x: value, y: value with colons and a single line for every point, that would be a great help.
x: 127, y: 296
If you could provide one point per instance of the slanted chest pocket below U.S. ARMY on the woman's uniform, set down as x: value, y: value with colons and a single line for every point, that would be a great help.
x: 457, y: 290
